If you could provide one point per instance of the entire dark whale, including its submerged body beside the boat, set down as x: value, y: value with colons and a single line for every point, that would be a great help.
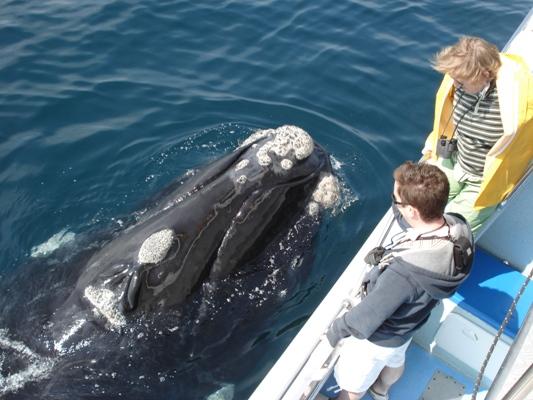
x: 164, y: 283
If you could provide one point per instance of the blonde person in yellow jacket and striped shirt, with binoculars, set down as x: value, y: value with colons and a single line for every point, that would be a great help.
x: 484, y: 106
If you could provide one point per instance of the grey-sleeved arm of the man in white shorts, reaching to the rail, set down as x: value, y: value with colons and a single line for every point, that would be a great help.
x: 391, y: 291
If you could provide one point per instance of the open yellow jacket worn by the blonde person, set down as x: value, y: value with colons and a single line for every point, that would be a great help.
x: 510, y: 156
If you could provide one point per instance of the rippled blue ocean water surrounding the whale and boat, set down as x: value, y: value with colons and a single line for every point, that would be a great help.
x: 103, y: 103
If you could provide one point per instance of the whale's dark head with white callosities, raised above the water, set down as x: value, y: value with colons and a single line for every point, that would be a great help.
x: 207, y: 227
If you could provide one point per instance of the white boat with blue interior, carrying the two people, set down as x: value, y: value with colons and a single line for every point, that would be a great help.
x: 478, y: 344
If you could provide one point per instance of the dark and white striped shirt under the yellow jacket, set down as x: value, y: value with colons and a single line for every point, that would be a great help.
x: 479, y: 126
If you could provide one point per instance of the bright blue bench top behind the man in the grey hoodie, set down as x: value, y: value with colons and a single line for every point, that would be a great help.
x: 489, y: 291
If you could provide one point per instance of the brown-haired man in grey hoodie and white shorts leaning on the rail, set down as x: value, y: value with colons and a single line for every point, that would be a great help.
x: 410, y: 275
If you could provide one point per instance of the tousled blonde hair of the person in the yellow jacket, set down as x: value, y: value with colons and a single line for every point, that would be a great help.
x: 468, y: 59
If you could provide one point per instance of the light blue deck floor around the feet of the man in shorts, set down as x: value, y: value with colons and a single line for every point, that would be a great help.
x: 419, y: 368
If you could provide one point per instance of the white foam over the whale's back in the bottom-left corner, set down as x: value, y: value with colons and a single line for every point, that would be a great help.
x: 38, y: 367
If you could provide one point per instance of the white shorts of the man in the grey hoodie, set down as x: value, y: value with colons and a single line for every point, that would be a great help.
x: 361, y: 362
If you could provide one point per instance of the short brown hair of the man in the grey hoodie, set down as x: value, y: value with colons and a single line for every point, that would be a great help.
x: 423, y: 186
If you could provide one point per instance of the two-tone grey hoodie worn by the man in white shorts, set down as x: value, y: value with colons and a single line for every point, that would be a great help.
x: 403, y: 289
